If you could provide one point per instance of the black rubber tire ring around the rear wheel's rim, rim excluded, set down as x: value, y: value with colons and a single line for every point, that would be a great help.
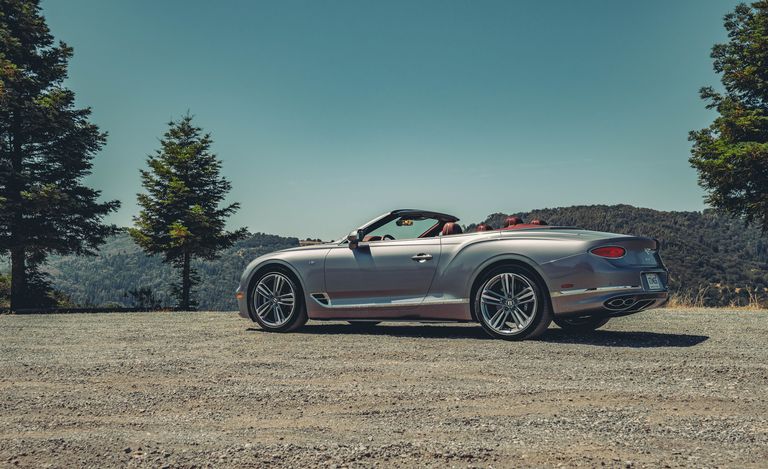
x: 543, y: 314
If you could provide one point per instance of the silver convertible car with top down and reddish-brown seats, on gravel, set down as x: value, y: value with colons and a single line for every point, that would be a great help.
x: 417, y: 265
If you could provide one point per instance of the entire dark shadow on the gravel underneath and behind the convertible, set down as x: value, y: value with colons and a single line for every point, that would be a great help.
x: 637, y: 339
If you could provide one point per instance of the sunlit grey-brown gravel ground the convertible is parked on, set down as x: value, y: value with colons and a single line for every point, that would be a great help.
x: 661, y: 388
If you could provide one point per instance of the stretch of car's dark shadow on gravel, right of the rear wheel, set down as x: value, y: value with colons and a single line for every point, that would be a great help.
x: 633, y: 339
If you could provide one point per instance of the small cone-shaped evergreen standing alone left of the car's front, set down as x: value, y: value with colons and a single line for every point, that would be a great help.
x: 181, y: 216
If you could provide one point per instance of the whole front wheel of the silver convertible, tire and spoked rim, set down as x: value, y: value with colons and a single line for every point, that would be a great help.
x: 280, y: 311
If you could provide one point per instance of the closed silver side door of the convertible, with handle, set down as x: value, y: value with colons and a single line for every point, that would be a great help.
x: 381, y: 278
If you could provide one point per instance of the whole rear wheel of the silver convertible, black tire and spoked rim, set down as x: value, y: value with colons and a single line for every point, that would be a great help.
x: 511, y: 304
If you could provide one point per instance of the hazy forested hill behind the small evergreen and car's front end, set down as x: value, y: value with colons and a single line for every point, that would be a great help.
x: 121, y: 266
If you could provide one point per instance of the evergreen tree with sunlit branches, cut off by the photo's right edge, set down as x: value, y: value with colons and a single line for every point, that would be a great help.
x: 731, y: 155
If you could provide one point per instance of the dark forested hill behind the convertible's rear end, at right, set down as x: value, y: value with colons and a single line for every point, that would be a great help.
x: 707, y: 254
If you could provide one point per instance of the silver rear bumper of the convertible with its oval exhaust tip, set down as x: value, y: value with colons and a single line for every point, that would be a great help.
x: 607, y: 301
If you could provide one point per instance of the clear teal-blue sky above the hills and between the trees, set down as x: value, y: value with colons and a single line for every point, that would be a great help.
x: 327, y: 113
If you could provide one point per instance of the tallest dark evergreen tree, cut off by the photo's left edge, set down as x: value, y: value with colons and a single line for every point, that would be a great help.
x: 46, y: 148
